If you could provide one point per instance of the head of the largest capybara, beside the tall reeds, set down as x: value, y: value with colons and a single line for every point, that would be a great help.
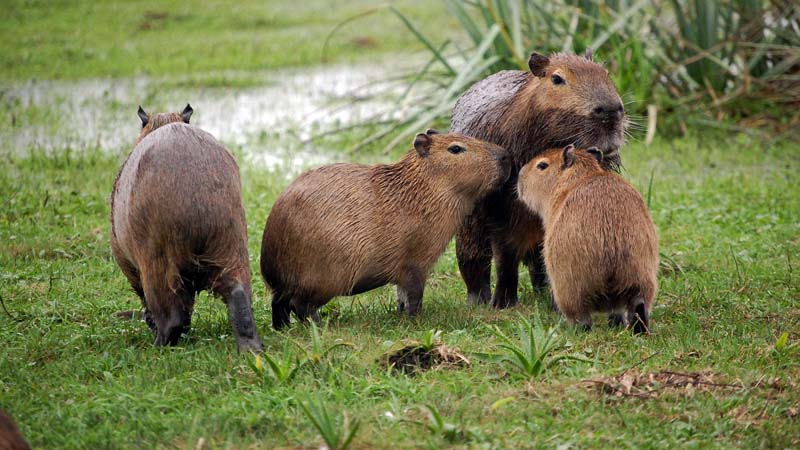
x: 576, y: 101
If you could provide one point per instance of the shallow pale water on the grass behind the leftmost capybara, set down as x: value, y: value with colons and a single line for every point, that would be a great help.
x: 268, y: 121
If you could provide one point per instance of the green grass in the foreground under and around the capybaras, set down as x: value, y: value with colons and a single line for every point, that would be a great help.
x: 726, y: 209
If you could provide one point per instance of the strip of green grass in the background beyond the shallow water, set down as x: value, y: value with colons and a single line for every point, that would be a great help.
x: 86, y: 39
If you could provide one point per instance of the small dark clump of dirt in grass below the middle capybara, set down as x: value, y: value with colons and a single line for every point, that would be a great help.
x: 415, y: 358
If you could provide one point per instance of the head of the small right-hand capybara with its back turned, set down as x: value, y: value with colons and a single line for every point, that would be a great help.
x: 538, y: 179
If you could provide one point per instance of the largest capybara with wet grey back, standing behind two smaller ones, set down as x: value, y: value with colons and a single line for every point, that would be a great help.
x: 564, y: 99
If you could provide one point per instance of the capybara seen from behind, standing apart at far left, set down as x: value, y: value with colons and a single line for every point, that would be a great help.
x: 178, y: 227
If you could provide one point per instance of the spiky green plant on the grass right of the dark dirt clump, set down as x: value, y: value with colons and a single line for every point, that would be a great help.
x: 532, y: 351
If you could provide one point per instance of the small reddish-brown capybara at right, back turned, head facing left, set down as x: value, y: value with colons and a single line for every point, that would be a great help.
x: 600, y: 245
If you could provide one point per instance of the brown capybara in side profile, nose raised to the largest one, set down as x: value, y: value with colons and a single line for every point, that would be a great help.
x: 344, y: 229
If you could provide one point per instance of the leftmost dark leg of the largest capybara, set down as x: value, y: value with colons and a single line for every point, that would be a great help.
x: 474, y: 253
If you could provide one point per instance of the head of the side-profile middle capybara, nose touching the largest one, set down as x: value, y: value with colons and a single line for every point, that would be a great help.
x: 469, y: 166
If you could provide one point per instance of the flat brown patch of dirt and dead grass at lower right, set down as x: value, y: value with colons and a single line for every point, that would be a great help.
x: 651, y: 385
